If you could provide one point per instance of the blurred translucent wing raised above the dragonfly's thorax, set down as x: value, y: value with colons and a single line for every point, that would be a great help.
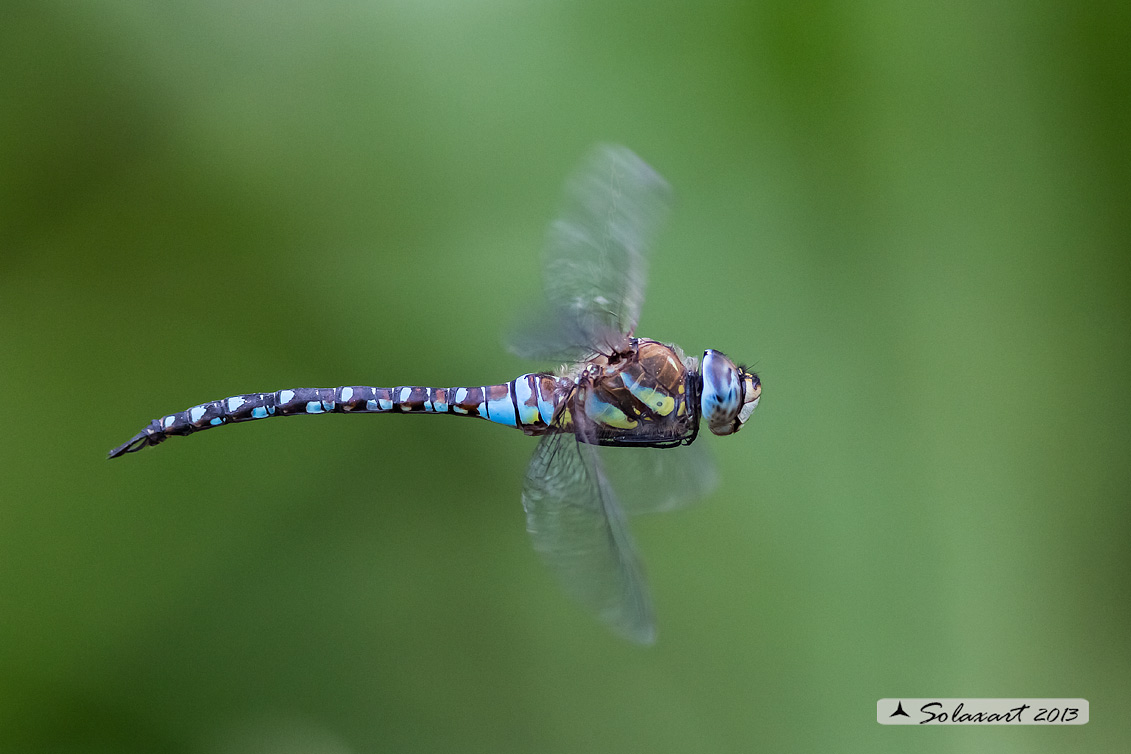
x: 597, y: 257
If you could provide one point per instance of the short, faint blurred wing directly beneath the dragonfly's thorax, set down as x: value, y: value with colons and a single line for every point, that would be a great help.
x: 657, y: 480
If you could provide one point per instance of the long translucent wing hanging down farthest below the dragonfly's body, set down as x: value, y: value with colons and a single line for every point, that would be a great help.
x: 580, y: 531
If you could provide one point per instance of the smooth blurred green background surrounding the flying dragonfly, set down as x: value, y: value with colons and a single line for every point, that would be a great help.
x: 912, y: 219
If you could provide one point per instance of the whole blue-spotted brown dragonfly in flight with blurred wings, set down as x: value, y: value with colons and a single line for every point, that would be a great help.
x: 616, y: 422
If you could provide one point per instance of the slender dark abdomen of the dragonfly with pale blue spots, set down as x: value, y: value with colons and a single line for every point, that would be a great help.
x: 526, y: 403
